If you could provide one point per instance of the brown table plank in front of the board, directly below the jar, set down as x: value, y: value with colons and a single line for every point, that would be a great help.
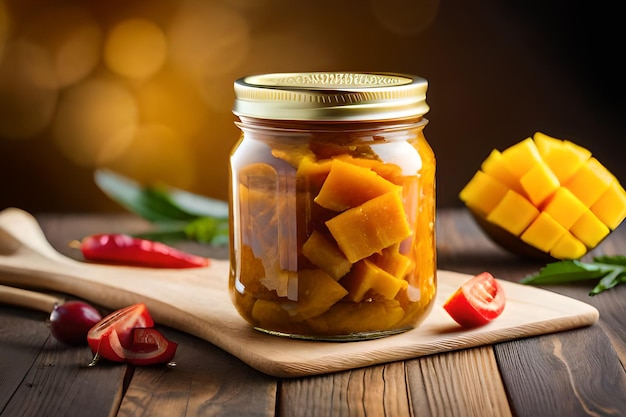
x: 373, y: 391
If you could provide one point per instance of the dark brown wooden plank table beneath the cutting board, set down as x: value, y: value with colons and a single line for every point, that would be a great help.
x: 579, y: 372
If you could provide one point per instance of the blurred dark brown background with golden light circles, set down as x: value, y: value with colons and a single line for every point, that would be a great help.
x: 144, y: 87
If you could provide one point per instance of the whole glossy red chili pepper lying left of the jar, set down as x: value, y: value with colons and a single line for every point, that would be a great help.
x: 128, y: 250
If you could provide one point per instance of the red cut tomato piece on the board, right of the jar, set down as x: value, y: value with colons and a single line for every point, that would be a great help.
x: 477, y: 302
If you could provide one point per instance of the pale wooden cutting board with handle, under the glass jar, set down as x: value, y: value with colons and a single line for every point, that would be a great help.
x: 196, y: 301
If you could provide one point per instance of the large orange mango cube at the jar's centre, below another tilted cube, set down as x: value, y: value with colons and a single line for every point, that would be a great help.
x: 370, y: 227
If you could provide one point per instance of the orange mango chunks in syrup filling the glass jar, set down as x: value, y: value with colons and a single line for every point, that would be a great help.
x: 300, y: 283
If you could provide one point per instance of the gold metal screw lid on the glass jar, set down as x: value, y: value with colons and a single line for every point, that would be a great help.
x: 331, y: 96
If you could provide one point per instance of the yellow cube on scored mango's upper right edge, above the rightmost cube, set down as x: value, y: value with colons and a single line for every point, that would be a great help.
x: 590, y: 182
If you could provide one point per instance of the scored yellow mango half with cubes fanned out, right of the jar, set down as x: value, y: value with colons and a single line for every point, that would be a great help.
x: 547, y: 193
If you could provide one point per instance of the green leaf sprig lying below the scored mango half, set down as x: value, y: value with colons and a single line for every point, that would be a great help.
x: 609, y: 270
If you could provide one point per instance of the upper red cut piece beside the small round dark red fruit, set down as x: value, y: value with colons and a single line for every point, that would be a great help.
x: 122, y: 322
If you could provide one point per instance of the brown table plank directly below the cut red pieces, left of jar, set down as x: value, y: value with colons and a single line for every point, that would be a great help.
x: 205, y: 381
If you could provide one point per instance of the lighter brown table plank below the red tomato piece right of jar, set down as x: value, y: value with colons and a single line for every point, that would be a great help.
x: 461, y: 383
